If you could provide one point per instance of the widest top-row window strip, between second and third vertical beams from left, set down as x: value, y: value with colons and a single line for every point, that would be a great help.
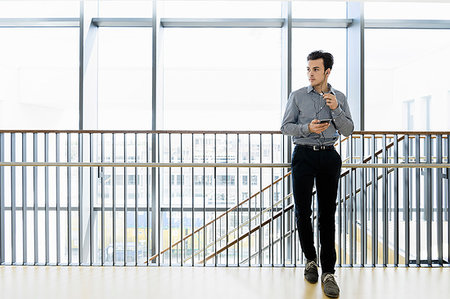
x: 221, y: 9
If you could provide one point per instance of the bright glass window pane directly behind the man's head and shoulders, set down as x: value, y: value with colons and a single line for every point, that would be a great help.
x: 305, y: 41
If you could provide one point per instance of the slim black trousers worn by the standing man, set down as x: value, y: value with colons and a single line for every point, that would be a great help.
x: 325, y: 167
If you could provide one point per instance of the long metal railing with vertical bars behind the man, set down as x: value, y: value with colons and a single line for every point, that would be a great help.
x: 213, y: 198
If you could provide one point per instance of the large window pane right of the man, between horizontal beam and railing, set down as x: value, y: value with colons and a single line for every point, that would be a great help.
x: 414, y: 72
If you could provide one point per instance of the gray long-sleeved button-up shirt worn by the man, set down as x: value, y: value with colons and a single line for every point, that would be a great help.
x: 306, y: 104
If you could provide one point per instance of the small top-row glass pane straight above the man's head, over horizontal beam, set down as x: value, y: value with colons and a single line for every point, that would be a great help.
x: 319, y: 9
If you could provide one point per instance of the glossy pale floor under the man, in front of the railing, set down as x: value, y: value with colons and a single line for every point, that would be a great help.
x: 216, y: 283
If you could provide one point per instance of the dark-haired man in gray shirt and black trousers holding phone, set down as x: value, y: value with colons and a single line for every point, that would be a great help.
x: 315, y: 157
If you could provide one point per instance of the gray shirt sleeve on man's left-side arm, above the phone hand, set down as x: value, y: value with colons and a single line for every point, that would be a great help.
x: 289, y: 125
